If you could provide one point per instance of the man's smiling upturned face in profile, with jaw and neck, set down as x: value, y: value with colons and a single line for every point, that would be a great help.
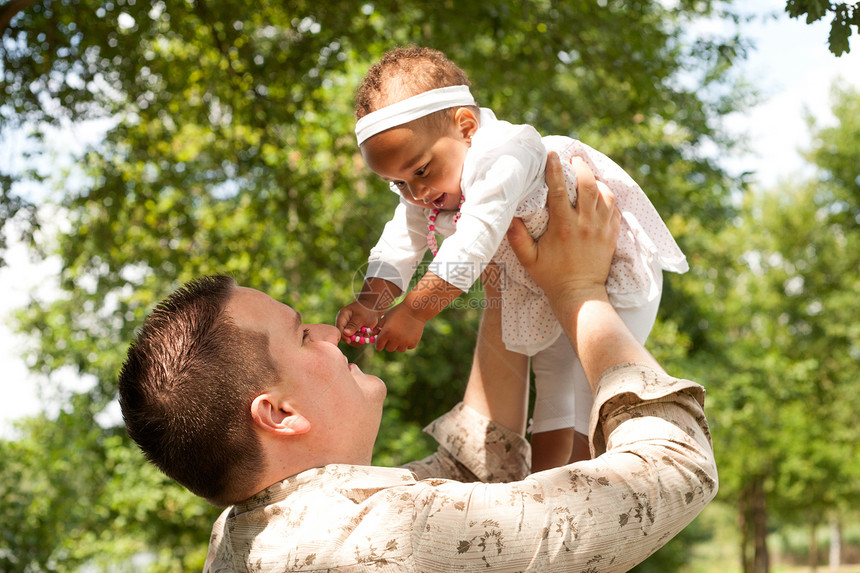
x: 342, y: 403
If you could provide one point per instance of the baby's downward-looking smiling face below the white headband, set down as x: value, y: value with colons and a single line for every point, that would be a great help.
x: 425, y: 167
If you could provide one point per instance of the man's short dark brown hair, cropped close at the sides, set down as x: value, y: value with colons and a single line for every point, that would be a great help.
x: 186, y: 390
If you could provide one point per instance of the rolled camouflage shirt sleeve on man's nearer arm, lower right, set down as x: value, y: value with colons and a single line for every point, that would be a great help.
x: 655, y: 474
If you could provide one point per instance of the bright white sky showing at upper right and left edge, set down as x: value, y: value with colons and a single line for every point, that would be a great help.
x: 790, y: 65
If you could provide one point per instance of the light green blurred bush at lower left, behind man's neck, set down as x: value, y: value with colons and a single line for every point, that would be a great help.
x: 80, y: 497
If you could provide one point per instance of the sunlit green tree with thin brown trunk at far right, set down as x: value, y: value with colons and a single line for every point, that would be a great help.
x: 787, y: 344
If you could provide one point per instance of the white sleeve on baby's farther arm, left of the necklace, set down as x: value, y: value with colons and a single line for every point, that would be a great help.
x: 401, y: 246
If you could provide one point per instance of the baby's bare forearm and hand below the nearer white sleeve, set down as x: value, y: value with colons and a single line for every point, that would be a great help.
x: 401, y: 328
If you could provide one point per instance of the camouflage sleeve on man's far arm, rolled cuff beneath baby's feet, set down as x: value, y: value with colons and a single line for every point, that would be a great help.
x: 473, y: 448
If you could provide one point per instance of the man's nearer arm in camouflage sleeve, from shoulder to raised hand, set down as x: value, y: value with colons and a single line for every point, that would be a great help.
x: 656, y: 468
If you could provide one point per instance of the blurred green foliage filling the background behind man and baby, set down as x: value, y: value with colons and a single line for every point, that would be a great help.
x: 230, y: 150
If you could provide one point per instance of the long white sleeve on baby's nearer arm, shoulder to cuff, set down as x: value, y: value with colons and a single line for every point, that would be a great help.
x: 504, y: 165
